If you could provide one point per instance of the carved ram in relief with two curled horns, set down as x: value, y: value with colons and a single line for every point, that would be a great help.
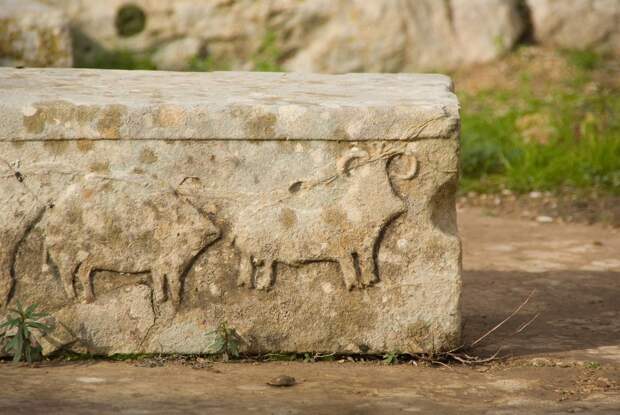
x: 338, y: 220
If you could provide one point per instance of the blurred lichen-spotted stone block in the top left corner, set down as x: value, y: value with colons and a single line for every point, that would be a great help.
x: 33, y: 34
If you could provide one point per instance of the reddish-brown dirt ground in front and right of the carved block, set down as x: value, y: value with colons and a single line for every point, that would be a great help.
x: 566, y: 361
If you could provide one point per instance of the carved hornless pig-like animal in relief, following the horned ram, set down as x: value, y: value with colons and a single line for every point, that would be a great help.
x: 96, y: 222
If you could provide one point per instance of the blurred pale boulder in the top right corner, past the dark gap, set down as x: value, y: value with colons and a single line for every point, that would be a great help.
x: 577, y: 24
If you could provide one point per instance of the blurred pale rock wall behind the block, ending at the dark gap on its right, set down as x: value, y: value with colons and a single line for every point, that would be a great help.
x: 330, y: 36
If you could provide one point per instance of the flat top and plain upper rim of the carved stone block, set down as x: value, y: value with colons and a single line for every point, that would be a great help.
x: 42, y: 104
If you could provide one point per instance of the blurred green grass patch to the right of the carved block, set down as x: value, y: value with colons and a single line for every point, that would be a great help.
x: 523, y: 140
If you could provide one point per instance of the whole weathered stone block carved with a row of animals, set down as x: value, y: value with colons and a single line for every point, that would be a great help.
x: 310, y: 212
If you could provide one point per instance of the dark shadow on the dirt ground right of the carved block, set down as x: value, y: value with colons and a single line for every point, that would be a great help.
x: 577, y: 311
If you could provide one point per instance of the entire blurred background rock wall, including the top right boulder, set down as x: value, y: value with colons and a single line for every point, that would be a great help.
x: 333, y: 36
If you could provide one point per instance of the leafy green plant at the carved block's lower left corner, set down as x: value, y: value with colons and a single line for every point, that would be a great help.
x: 18, y: 335
